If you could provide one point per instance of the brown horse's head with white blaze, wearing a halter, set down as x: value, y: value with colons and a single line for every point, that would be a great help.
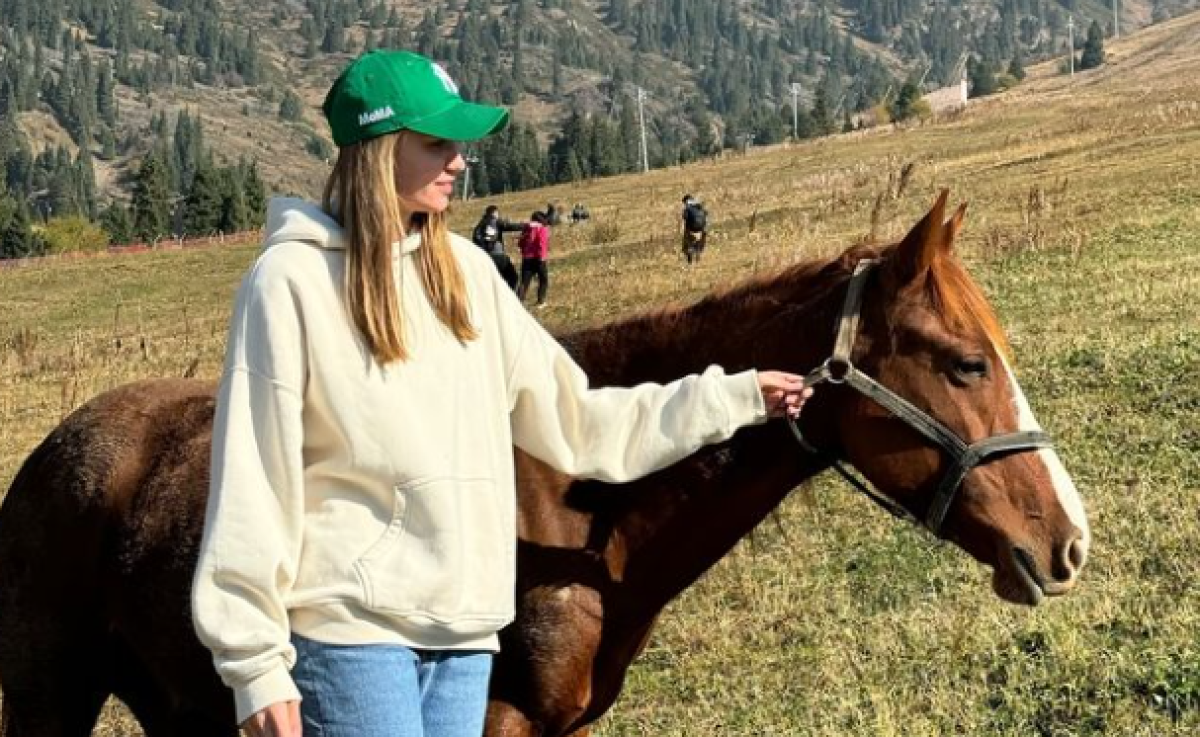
x: 923, y: 402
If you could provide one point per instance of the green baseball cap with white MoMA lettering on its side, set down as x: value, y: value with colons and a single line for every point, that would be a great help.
x: 383, y: 92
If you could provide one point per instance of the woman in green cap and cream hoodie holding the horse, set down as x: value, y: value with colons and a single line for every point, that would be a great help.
x: 359, y: 547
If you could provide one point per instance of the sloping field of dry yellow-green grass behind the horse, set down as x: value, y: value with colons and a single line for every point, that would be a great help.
x: 1084, y: 226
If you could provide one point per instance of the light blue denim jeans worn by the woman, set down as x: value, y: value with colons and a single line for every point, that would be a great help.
x: 391, y: 691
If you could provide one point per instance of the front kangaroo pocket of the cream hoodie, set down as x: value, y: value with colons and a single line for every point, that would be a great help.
x: 447, y: 555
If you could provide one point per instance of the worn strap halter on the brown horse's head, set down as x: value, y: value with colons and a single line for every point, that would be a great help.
x: 965, y: 457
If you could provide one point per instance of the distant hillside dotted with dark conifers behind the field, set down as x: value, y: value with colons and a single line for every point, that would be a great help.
x: 711, y: 68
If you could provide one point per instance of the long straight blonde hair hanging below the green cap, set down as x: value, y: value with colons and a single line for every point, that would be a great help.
x: 362, y: 196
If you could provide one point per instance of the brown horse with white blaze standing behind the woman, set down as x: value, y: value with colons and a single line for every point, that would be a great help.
x: 100, y: 531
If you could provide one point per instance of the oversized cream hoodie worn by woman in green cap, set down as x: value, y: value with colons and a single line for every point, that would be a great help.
x: 356, y: 504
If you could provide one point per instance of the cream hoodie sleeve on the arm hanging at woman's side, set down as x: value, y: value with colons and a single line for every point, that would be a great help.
x: 254, y: 523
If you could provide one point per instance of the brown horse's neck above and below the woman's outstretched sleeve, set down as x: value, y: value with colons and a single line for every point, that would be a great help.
x: 675, y: 525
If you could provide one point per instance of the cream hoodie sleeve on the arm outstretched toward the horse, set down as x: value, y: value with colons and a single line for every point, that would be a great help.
x: 620, y: 434
